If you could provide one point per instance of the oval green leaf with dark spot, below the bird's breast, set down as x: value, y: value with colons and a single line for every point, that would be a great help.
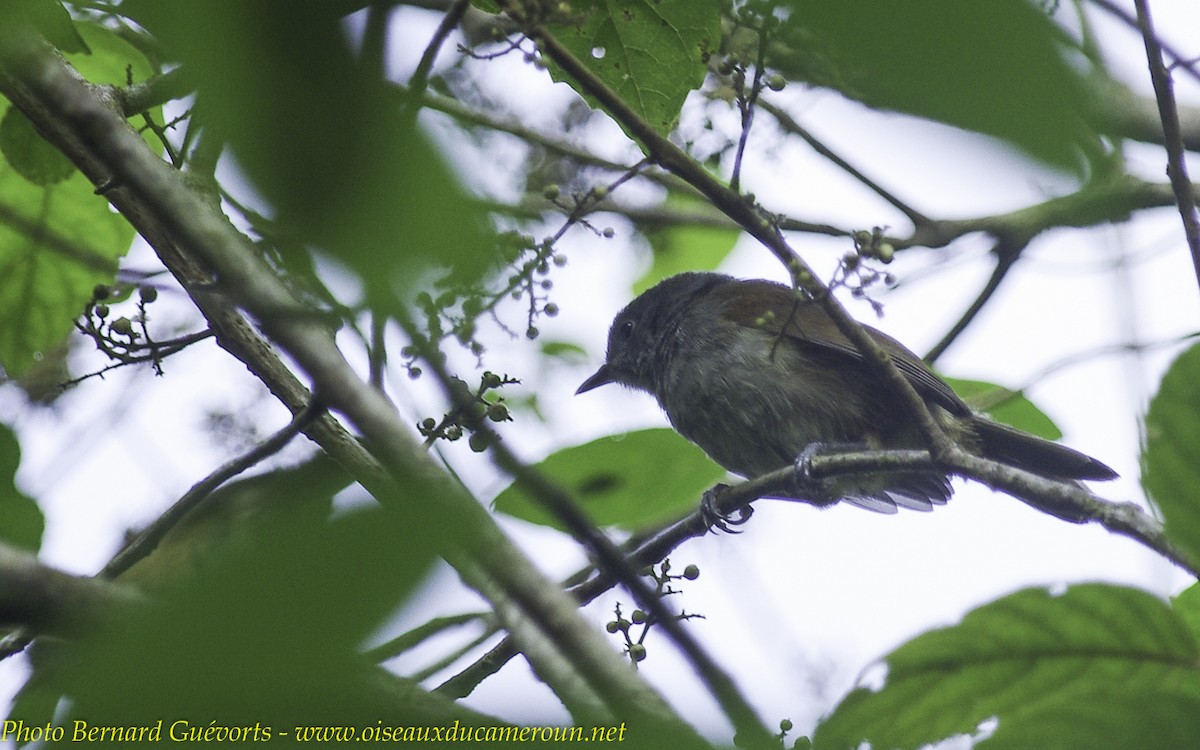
x: 634, y: 482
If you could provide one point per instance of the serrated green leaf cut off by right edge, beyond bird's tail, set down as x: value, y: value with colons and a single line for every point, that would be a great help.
x: 1171, y: 458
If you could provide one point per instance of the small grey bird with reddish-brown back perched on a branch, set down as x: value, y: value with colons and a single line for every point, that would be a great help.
x: 757, y: 375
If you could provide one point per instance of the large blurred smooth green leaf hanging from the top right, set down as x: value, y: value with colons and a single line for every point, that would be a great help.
x: 1000, y: 69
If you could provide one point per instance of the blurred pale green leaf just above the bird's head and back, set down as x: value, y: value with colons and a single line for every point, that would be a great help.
x: 686, y: 248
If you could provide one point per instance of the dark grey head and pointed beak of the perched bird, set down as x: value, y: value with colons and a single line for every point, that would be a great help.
x: 639, y: 331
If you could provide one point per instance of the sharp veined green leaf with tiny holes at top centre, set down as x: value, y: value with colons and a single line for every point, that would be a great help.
x: 652, y: 53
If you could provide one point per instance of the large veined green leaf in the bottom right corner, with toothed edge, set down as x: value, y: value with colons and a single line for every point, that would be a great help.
x: 1100, y: 667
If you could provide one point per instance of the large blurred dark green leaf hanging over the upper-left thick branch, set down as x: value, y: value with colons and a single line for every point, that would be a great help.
x: 327, y: 142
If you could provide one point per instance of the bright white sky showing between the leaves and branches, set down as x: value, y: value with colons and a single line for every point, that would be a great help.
x: 803, y: 601
